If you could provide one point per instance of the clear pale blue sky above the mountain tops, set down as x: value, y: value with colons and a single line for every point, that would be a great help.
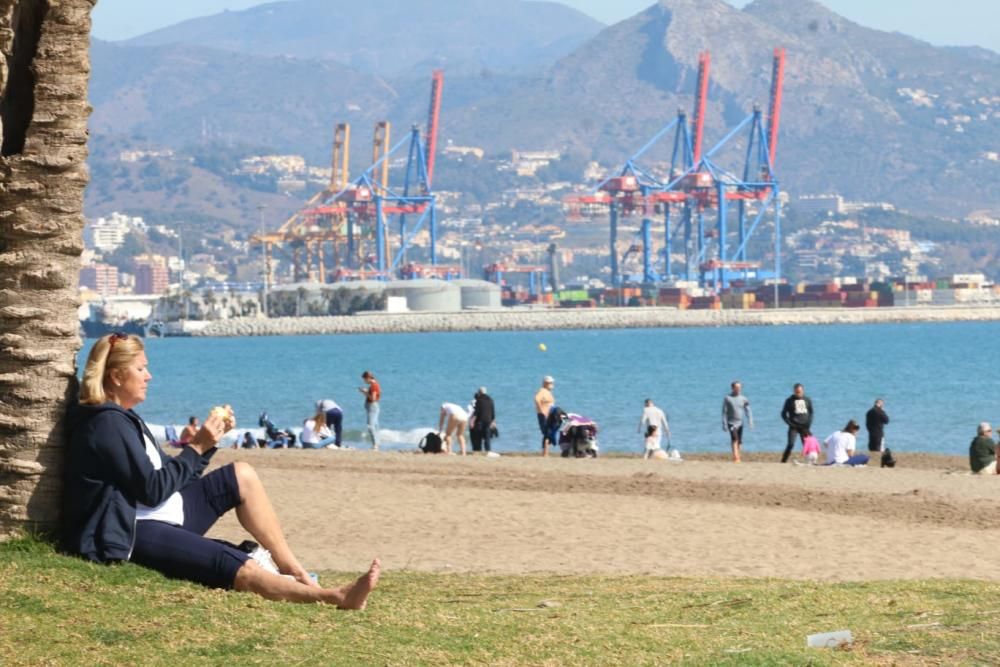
x: 952, y: 22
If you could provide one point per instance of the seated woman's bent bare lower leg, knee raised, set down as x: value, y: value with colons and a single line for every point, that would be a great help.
x: 256, y: 515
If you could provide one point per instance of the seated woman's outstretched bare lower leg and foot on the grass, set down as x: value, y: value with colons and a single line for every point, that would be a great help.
x: 251, y: 578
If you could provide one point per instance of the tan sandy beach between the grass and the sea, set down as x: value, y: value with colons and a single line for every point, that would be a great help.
x: 702, y: 517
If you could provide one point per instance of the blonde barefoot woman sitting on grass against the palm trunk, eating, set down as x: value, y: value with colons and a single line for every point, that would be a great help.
x: 125, y: 500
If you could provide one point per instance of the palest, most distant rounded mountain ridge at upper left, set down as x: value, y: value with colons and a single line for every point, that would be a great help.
x: 393, y: 37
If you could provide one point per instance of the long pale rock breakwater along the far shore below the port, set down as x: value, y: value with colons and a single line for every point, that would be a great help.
x: 514, y: 319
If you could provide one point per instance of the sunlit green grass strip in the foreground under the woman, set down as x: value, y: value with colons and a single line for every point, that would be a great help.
x: 56, y: 610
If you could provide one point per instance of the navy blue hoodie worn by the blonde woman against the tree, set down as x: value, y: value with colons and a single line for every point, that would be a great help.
x: 107, y: 472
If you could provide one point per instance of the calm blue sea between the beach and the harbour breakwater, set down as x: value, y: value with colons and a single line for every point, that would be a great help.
x: 938, y: 380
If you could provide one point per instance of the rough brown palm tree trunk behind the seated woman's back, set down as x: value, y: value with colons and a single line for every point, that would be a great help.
x: 43, y: 111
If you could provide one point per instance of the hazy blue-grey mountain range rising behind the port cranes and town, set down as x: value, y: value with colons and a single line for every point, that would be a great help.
x: 869, y: 114
